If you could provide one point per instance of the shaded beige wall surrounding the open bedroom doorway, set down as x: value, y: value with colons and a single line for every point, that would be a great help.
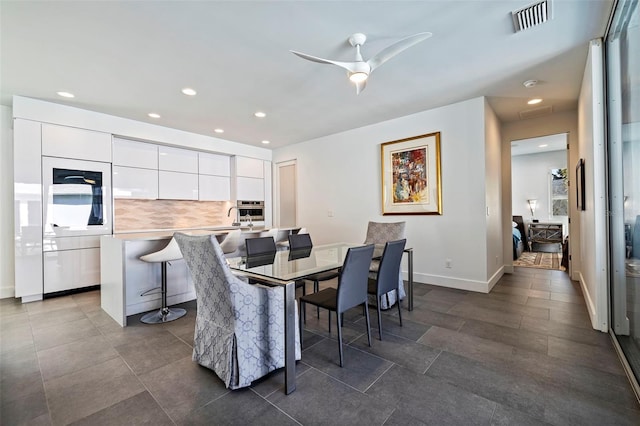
x: 562, y: 122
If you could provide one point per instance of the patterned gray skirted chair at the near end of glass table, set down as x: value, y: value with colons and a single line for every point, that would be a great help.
x: 240, y: 330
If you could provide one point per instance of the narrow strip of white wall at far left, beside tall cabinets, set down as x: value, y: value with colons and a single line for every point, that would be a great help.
x: 6, y: 203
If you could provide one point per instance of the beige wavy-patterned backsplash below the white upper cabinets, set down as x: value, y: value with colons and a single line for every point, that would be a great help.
x: 140, y: 215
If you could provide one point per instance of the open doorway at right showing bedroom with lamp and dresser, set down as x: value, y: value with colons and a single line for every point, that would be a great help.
x: 540, y: 202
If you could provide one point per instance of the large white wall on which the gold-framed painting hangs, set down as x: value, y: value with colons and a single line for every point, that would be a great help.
x: 339, y: 191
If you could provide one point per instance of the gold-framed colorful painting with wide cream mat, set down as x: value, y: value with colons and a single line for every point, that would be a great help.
x: 411, y: 176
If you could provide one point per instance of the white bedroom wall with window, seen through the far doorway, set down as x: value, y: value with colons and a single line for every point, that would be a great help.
x: 530, y: 176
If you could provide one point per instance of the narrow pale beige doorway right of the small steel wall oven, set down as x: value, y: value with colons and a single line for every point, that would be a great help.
x: 286, y: 194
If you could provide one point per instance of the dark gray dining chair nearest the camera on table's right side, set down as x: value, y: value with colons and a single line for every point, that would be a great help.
x: 351, y: 291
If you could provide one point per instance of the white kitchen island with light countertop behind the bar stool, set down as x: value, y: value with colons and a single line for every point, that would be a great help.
x: 125, y: 279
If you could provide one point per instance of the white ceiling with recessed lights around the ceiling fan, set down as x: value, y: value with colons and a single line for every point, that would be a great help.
x: 129, y: 58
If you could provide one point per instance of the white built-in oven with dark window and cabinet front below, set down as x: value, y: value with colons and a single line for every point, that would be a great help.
x: 76, y: 211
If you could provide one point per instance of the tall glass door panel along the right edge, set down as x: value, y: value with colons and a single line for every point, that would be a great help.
x: 623, y: 116
